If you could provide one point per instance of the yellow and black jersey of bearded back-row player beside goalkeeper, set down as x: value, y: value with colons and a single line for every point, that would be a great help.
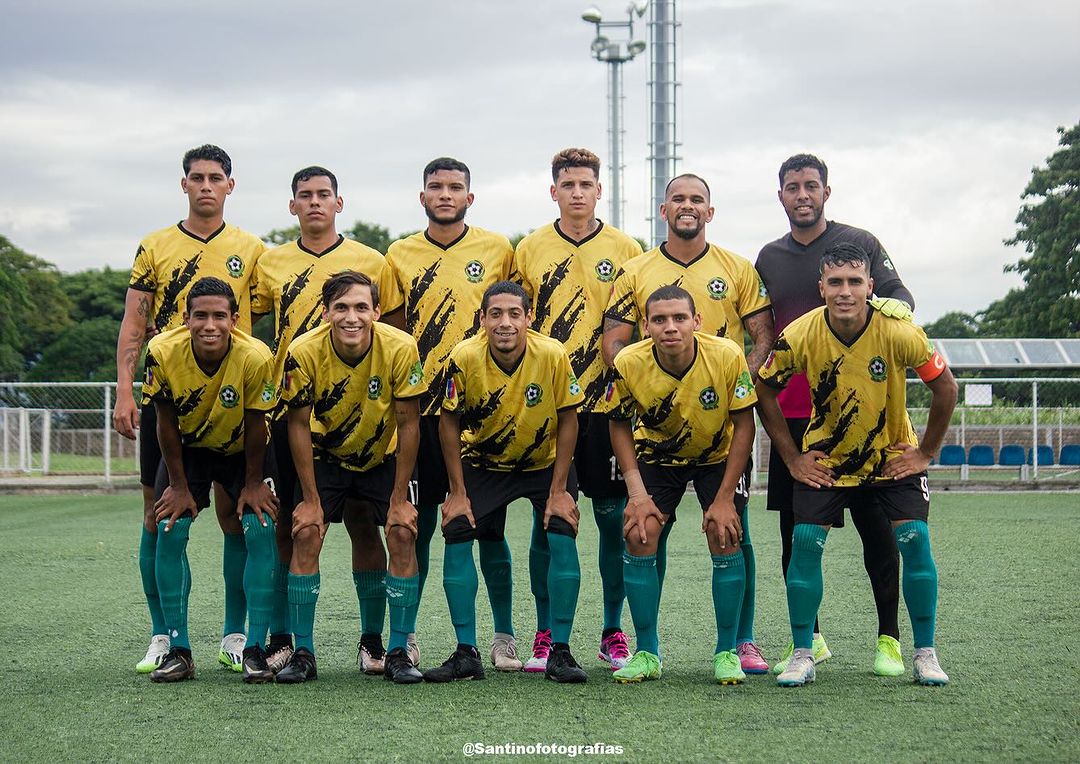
x: 725, y: 288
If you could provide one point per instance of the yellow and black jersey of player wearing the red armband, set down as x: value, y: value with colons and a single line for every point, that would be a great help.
x: 858, y: 390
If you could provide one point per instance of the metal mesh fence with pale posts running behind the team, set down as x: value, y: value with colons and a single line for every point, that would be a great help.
x: 1004, y: 430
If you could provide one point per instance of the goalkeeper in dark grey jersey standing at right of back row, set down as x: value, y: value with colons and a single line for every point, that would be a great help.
x: 789, y: 267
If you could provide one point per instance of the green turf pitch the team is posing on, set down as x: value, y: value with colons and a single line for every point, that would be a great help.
x: 74, y: 623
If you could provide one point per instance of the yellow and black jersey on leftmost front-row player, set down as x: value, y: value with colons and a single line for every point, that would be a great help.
x: 211, y: 407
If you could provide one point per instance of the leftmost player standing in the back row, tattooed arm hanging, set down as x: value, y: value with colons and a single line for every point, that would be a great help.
x: 167, y: 264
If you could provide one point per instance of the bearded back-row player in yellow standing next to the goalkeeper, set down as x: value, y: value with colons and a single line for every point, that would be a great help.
x: 731, y: 298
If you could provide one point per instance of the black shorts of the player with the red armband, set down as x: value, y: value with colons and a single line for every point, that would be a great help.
x: 900, y: 500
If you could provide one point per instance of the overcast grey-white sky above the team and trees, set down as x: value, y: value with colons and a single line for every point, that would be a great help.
x: 930, y: 115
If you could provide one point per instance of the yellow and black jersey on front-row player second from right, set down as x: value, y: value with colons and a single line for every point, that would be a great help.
x: 682, y: 421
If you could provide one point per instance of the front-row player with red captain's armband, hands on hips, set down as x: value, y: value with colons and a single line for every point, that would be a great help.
x: 860, y: 450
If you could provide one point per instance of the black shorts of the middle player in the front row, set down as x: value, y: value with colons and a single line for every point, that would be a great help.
x: 490, y: 492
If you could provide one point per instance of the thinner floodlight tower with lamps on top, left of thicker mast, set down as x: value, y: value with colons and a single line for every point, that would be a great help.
x: 615, y: 53
